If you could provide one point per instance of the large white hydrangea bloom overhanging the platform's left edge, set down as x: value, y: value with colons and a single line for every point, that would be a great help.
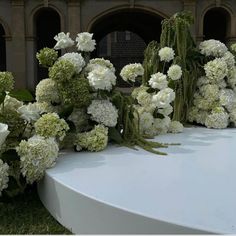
x: 36, y: 155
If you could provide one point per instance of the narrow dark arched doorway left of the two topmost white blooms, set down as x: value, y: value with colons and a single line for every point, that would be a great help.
x: 48, y: 24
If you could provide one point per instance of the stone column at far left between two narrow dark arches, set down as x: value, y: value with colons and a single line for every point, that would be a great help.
x: 18, y: 63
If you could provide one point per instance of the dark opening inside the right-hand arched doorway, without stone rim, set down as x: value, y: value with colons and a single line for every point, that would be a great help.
x: 217, y: 24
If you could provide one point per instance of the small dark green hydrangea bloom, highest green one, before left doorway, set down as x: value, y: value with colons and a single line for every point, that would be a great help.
x: 47, y: 57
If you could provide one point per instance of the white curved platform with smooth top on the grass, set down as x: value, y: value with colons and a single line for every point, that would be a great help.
x: 120, y: 190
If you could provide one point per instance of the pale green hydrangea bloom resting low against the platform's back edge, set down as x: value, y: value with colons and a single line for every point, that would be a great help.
x: 94, y: 140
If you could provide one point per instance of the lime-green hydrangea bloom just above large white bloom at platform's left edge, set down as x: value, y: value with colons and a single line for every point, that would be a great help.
x: 50, y: 125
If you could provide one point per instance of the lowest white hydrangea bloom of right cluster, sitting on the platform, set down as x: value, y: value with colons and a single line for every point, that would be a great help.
x: 218, y: 119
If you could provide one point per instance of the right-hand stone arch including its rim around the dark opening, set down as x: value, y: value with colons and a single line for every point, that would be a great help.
x: 217, y: 23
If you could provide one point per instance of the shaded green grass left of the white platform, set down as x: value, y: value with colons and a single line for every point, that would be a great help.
x: 25, y: 214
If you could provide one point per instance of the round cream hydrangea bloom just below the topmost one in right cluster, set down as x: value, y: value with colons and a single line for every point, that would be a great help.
x: 216, y: 70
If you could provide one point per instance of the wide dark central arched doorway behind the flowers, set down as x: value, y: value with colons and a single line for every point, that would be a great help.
x: 122, y: 36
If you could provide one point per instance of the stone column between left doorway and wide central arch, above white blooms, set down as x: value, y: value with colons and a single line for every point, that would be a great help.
x: 74, y: 19
